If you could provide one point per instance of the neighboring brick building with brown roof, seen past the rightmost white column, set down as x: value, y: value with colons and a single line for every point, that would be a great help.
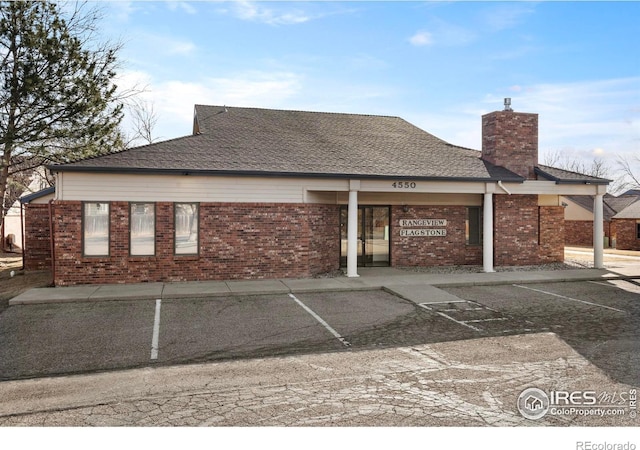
x: 579, y: 218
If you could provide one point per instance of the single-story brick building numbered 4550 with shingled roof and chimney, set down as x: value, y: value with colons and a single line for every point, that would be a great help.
x: 259, y: 193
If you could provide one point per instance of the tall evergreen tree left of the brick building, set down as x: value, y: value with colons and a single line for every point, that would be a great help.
x: 58, y: 102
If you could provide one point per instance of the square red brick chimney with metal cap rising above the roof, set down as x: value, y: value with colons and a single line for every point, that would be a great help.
x: 510, y: 140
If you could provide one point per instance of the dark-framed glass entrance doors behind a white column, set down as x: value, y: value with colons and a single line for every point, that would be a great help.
x: 373, y: 236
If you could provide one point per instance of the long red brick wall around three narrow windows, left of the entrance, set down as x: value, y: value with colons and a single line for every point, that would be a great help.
x: 237, y: 241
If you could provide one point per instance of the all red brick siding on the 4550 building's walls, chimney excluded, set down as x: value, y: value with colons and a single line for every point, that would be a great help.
x: 255, y: 240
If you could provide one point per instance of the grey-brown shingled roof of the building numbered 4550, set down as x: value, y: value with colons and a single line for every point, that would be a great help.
x: 254, y: 141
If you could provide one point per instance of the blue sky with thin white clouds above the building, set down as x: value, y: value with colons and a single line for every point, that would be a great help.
x: 439, y: 65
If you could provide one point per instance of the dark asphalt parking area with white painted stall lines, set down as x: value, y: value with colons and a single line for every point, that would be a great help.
x: 600, y: 320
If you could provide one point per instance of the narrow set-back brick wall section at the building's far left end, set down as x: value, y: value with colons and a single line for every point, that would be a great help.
x: 37, y: 237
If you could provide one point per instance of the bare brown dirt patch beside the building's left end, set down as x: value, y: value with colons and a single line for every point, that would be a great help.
x: 14, y: 281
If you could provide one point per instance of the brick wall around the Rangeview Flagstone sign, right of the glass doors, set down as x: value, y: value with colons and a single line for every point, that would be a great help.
x: 412, y: 251
